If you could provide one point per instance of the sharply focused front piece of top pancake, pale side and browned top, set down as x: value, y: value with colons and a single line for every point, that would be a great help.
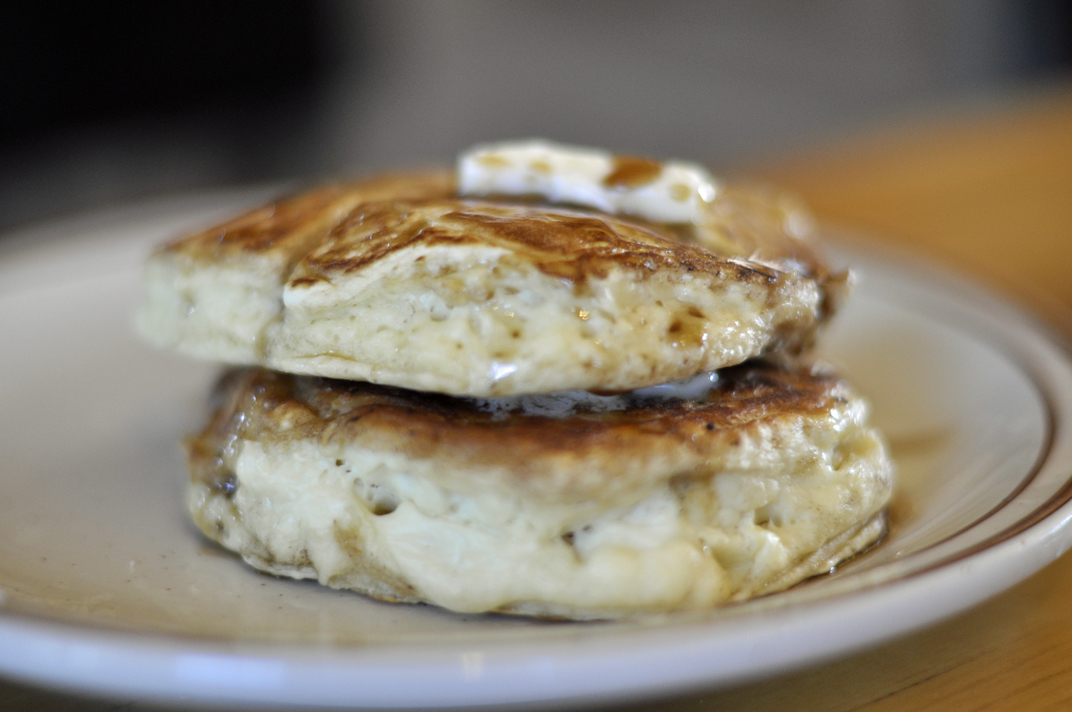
x: 513, y: 300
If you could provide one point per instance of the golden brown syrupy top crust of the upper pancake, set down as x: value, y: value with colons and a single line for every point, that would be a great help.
x: 743, y: 222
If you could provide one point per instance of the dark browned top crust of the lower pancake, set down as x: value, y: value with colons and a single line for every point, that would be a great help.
x: 267, y: 406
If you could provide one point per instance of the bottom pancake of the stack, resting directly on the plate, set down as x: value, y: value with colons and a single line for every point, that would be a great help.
x: 568, y: 506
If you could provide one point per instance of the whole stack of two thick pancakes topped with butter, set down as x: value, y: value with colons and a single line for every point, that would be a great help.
x: 553, y: 382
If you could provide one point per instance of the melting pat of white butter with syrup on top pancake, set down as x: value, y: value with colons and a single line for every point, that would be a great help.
x: 672, y: 192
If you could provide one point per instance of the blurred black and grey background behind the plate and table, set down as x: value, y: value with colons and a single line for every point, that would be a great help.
x: 108, y: 102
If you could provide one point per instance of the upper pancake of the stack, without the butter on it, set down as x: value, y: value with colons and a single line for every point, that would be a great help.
x: 398, y: 280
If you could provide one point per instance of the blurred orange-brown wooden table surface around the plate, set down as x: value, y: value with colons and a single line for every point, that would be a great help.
x: 987, y: 191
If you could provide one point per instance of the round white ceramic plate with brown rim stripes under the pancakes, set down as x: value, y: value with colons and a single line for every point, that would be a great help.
x: 106, y: 589
